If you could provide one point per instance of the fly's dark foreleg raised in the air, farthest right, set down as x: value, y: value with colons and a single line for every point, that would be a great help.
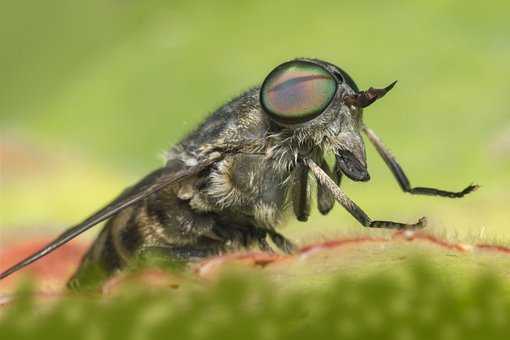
x: 401, y: 177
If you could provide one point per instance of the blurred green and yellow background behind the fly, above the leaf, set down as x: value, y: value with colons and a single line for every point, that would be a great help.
x: 93, y: 92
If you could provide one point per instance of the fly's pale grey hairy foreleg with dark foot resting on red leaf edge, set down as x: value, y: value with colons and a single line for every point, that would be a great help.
x: 352, y: 207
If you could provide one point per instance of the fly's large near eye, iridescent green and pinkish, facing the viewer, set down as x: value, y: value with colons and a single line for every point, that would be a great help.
x: 297, y: 91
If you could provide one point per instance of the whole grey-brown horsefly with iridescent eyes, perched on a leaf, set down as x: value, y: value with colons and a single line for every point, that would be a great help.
x: 229, y: 183
